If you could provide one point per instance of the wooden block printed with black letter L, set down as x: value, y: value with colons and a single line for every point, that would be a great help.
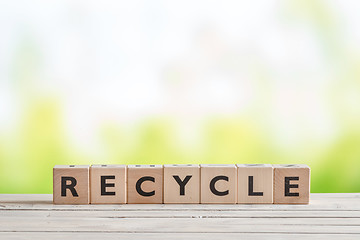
x: 255, y: 183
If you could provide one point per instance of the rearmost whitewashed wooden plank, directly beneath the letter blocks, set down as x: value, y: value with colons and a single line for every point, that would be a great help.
x: 319, y: 202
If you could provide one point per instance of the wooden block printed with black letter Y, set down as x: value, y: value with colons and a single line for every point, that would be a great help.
x: 182, y: 183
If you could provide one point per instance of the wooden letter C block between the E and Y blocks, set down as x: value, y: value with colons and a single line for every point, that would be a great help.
x: 145, y: 184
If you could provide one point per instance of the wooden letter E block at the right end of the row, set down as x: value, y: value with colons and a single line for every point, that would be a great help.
x: 291, y: 184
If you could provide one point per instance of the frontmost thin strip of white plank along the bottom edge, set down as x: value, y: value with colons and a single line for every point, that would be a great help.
x: 174, y: 236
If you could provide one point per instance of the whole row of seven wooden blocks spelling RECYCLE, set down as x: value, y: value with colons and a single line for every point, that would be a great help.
x: 181, y: 183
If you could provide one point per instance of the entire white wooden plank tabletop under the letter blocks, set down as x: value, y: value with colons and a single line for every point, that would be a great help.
x: 328, y: 216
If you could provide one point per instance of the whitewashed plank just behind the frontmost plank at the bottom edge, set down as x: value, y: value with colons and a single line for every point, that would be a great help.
x: 181, y: 225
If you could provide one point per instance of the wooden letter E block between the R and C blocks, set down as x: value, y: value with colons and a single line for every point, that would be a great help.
x: 108, y: 184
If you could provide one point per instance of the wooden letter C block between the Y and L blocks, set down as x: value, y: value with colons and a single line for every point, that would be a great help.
x: 218, y: 183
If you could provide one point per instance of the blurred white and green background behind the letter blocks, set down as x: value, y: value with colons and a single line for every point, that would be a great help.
x: 88, y: 82
